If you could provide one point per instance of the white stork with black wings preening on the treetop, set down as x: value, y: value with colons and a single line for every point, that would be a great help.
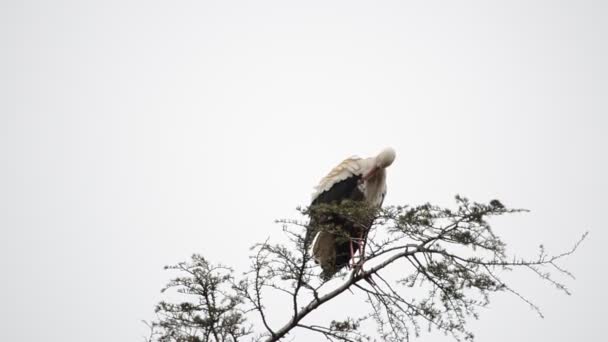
x: 356, y: 180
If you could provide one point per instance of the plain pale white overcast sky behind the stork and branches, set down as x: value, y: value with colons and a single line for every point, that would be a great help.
x: 135, y: 133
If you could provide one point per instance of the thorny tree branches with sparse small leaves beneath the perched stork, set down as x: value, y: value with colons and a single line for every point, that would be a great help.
x: 451, y: 259
